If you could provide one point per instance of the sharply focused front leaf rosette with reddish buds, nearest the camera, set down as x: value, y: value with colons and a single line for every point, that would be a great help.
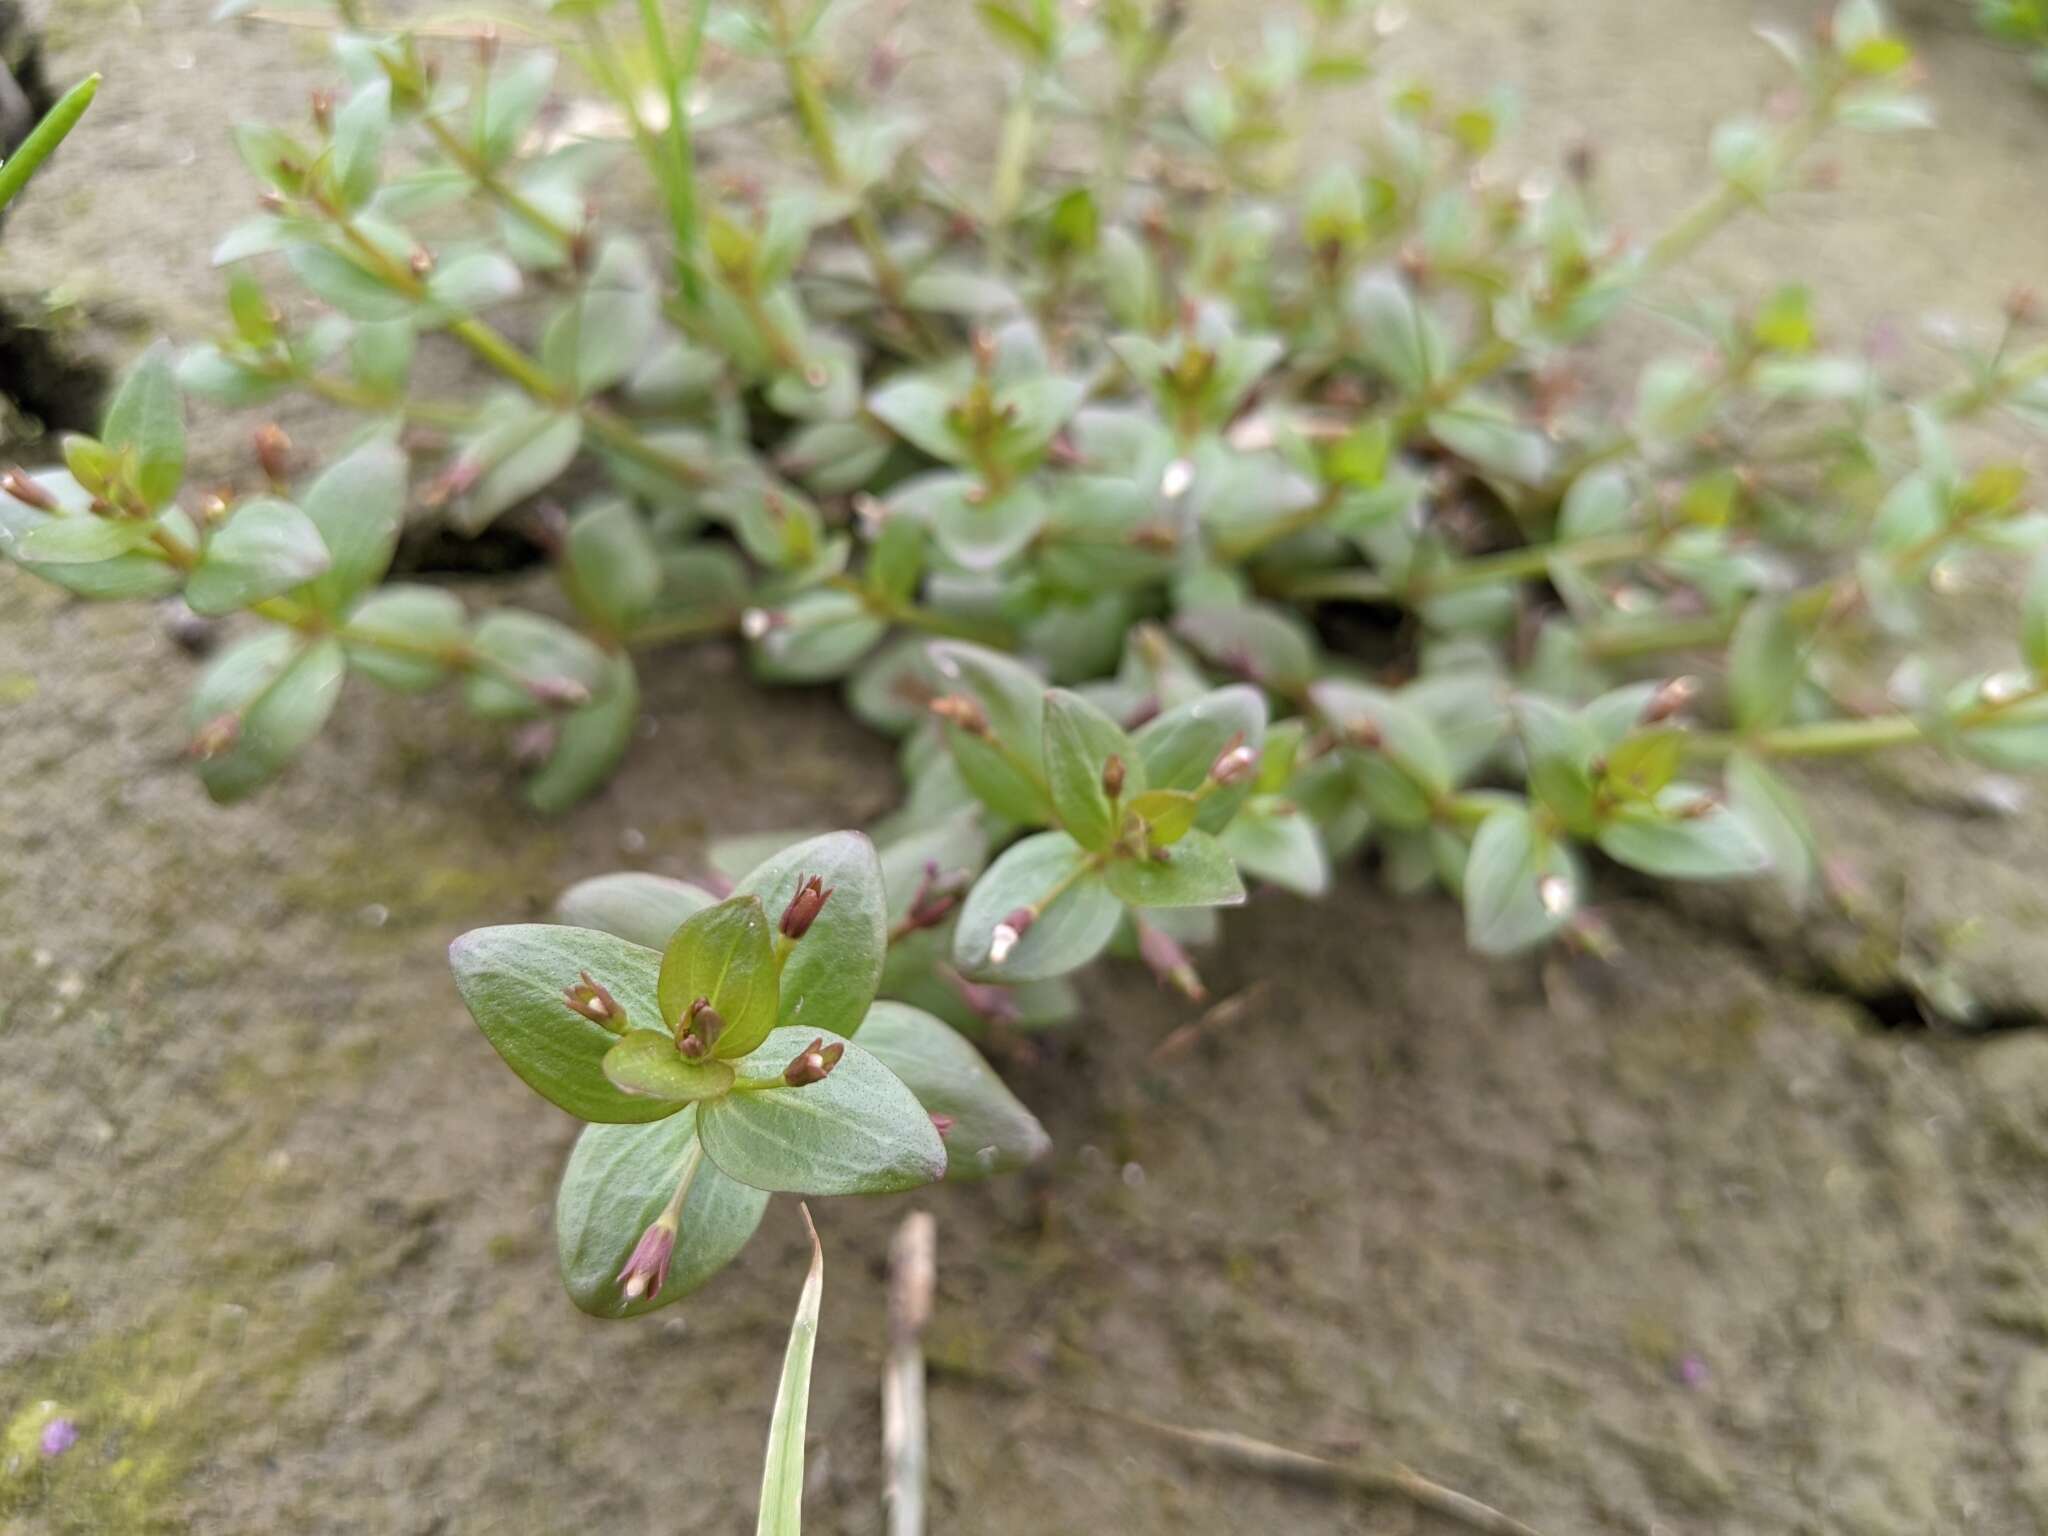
x: 720, y: 1070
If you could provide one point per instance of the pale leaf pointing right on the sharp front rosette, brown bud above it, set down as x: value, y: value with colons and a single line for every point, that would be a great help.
x: 859, y: 1132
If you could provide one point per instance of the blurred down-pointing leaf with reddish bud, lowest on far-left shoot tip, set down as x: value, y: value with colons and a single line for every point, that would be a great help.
x: 269, y: 697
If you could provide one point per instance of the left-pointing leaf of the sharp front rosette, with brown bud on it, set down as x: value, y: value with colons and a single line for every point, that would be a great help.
x: 513, y: 980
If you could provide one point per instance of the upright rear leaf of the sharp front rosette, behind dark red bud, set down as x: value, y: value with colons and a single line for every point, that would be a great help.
x: 835, y: 970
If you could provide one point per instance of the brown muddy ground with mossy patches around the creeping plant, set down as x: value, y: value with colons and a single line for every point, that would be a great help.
x: 1701, y: 1242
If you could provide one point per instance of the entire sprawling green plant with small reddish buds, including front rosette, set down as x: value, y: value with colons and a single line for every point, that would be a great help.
x: 1197, y: 515
